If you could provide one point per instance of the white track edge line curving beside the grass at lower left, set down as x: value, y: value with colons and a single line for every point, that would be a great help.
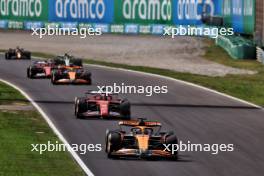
x: 53, y: 127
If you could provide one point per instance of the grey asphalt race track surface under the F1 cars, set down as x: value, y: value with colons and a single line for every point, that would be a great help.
x: 194, y: 114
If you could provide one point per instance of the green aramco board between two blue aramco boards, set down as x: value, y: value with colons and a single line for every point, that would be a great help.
x: 143, y: 11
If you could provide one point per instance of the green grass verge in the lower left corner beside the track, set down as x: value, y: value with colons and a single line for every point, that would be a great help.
x: 18, y: 130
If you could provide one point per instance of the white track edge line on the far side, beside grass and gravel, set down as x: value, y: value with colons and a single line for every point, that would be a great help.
x: 182, y: 82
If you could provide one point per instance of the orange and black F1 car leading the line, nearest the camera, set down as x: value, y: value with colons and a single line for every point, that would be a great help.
x: 140, y: 139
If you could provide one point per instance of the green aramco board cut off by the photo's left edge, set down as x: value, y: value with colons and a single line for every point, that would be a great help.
x: 24, y: 10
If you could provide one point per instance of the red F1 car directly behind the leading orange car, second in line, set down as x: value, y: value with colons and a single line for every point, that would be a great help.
x: 103, y: 105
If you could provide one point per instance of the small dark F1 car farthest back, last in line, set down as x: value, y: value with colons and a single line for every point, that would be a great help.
x: 17, y: 54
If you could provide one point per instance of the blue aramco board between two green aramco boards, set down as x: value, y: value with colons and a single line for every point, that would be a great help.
x: 94, y: 11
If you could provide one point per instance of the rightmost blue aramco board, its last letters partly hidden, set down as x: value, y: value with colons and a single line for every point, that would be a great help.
x: 189, y: 12
